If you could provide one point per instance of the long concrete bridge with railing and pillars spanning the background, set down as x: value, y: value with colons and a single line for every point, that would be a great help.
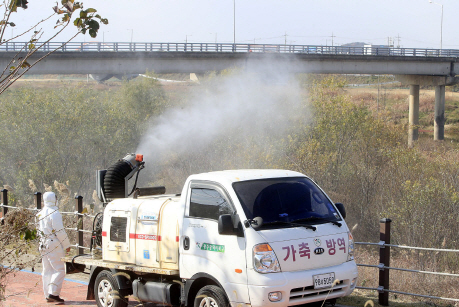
x: 412, y: 66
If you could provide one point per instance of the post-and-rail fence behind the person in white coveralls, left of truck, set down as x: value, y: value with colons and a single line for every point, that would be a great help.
x: 38, y: 205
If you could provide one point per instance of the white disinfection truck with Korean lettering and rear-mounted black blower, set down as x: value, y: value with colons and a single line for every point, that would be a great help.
x: 254, y: 238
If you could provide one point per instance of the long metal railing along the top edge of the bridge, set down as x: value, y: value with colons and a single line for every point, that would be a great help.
x: 228, y: 48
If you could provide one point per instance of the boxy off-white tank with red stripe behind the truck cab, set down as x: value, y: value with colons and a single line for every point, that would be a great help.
x: 142, y: 231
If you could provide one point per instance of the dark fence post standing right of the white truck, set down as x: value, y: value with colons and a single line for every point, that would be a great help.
x: 384, y: 259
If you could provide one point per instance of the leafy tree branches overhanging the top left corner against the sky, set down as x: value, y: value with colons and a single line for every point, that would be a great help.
x: 86, y: 22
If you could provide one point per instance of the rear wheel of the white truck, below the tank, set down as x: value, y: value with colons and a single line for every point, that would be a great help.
x: 106, y: 291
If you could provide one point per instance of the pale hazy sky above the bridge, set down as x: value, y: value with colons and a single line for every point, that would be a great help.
x: 409, y: 23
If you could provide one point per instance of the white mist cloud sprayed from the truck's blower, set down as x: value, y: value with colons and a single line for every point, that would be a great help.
x: 262, y: 101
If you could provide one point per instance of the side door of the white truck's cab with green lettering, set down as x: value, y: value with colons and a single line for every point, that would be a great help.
x: 203, y: 250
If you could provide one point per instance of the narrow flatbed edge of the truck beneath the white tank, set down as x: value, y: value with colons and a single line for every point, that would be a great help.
x: 87, y: 260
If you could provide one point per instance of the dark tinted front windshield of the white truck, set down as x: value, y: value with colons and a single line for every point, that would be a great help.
x: 285, y: 200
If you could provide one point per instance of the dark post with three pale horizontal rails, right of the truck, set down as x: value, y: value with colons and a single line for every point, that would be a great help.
x: 384, y: 266
